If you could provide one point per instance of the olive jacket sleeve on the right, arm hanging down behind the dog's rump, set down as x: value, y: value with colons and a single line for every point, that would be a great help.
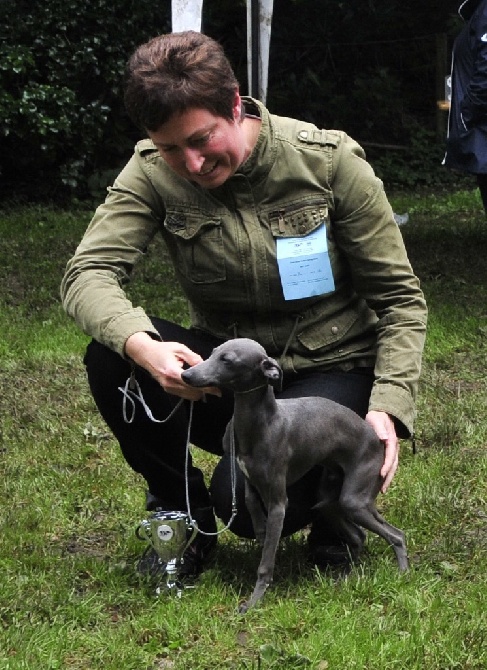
x: 369, y: 237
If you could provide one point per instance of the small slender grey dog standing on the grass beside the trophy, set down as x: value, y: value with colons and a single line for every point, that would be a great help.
x: 277, y: 441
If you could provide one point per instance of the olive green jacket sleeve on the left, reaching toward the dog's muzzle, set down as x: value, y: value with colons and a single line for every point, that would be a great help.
x: 116, y: 239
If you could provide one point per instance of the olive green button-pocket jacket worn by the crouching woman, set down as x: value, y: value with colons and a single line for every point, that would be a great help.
x: 223, y: 246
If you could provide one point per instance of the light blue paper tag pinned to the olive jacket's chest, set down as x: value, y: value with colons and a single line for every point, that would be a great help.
x: 304, y: 265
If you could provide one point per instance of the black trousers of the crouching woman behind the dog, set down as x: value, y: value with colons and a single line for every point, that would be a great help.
x: 158, y: 450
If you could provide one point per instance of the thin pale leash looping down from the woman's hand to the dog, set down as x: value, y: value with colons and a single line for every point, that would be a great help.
x: 131, y: 392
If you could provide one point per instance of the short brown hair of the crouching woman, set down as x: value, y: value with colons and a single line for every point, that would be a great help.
x: 175, y: 72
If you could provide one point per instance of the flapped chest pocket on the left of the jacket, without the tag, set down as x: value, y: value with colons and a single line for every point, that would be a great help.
x: 198, y: 242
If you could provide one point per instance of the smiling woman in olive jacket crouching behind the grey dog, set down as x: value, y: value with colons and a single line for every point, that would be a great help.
x: 278, y: 231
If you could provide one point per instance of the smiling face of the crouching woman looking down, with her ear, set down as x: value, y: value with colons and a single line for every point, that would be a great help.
x: 202, y: 147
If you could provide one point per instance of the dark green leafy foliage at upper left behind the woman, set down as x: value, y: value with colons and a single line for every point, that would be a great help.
x: 61, y: 71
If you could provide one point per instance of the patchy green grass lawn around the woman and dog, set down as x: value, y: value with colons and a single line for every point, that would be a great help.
x: 70, y: 597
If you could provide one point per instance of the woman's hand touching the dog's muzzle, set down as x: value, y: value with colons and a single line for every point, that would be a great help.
x: 165, y: 361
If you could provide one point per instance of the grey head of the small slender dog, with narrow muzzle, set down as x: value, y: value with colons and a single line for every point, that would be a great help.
x: 240, y: 365
